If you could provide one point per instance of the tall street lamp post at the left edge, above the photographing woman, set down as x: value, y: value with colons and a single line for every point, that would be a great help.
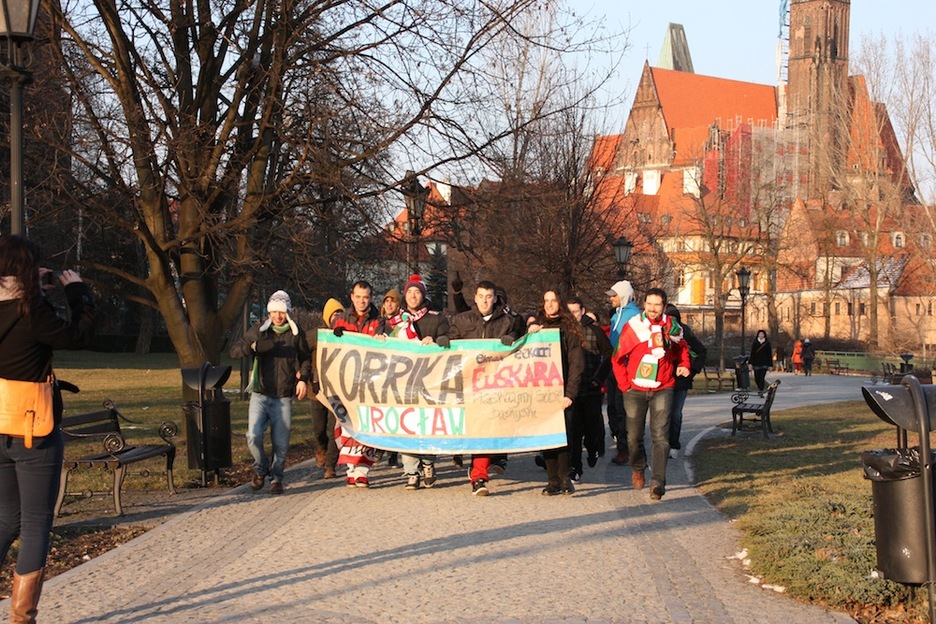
x: 17, y: 27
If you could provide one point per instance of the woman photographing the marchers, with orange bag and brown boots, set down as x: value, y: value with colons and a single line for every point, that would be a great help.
x: 30, y: 470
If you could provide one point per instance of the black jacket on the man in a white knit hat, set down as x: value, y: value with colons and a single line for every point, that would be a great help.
x: 280, y: 356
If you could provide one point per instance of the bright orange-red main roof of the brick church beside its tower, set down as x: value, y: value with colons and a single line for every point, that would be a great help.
x: 693, y: 100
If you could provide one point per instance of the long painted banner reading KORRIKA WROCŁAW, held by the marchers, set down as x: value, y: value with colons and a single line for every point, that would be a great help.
x: 479, y: 396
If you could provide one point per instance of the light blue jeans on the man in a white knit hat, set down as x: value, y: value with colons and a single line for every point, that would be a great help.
x: 276, y: 413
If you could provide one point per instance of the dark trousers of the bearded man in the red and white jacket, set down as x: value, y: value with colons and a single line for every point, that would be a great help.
x: 637, y: 403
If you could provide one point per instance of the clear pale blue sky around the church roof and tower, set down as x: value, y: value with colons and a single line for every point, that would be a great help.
x: 736, y: 39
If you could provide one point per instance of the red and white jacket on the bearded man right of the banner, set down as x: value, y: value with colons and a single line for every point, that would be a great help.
x: 649, y: 353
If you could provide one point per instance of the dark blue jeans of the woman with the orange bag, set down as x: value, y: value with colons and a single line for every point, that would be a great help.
x: 29, y: 480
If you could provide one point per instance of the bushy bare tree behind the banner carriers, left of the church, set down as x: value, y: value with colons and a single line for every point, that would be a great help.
x: 549, y: 219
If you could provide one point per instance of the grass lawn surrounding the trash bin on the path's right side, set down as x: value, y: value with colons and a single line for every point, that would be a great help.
x: 805, y: 507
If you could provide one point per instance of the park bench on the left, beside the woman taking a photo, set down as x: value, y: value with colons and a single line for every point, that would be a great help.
x: 104, y: 427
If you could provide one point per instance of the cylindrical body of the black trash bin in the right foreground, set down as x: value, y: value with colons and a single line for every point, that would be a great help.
x: 899, y: 516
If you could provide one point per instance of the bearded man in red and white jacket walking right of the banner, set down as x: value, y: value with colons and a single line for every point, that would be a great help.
x: 651, y: 349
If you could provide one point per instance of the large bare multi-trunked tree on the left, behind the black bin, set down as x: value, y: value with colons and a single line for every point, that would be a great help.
x: 228, y: 126
